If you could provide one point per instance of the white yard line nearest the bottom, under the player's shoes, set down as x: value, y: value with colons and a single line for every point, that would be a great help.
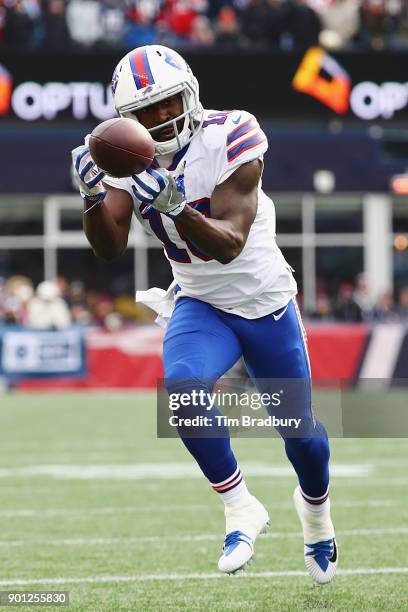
x: 362, y: 571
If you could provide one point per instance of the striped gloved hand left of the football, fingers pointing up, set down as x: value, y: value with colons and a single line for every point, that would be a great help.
x: 87, y: 174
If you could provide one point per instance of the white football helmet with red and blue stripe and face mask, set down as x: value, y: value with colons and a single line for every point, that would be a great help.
x: 150, y: 74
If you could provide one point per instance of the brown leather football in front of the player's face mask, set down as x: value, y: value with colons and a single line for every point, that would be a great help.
x: 121, y: 147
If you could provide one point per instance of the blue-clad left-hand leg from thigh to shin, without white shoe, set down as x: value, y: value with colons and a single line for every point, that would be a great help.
x: 197, y: 350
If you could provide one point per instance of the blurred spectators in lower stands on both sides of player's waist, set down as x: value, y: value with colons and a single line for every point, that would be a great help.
x: 59, y: 303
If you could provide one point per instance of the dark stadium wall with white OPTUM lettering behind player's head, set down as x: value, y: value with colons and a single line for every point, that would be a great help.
x: 48, y: 103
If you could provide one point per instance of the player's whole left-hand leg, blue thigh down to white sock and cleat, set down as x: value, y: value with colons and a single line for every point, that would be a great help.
x: 198, y: 348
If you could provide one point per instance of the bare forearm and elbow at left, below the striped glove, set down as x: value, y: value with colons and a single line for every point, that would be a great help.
x: 107, y: 225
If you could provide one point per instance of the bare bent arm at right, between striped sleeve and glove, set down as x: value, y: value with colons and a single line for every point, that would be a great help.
x: 233, y: 210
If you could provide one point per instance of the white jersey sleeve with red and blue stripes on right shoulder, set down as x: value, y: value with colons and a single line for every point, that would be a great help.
x: 244, y: 142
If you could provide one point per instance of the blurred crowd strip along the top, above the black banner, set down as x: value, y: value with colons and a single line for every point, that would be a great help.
x: 76, y: 25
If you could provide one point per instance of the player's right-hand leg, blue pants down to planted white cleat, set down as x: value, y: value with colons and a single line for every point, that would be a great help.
x: 276, y: 349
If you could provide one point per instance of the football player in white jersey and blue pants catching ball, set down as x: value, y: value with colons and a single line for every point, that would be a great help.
x: 233, y: 293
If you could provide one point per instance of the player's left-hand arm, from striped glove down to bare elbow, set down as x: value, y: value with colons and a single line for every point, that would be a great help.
x: 107, y: 211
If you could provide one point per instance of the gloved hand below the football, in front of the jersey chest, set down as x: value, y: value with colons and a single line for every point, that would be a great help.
x: 162, y: 189
